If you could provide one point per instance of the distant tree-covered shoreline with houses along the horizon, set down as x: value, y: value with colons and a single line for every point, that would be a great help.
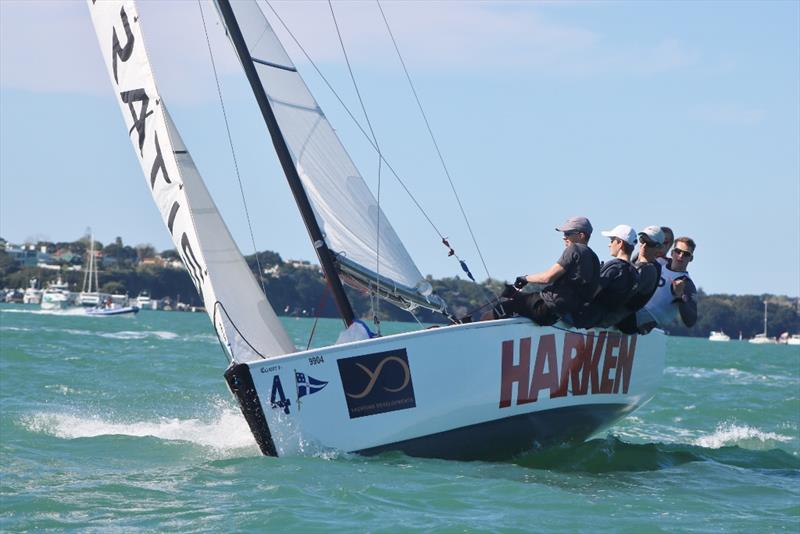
x: 297, y: 287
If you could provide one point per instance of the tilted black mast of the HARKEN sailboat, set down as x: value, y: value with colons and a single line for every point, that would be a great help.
x: 324, y: 254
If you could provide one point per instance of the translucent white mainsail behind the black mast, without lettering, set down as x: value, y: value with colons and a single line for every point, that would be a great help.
x: 352, y: 224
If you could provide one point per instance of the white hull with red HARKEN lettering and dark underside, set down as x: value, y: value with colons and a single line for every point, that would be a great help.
x: 475, y: 391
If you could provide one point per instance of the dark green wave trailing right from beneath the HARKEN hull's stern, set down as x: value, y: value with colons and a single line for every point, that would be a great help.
x: 611, y: 454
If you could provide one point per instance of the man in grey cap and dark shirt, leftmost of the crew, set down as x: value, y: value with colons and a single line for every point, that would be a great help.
x: 571, y: 282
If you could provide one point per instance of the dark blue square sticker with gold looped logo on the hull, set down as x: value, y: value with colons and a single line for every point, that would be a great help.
x: 377, y: 383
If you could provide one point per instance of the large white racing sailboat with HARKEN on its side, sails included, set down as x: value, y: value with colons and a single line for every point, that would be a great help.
x: 482, y: 390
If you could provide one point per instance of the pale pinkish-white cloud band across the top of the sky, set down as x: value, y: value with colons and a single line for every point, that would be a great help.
x: 49, y: 46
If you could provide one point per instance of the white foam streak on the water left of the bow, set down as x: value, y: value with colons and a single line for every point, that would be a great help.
x: 223, y: 429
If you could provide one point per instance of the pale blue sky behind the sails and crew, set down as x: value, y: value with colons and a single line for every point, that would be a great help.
x: 681, y: 114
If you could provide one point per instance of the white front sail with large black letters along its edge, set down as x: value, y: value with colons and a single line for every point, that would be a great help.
x: 243, y: 318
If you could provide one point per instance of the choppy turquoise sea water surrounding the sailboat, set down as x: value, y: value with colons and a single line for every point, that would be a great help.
x: 125, y: 424
